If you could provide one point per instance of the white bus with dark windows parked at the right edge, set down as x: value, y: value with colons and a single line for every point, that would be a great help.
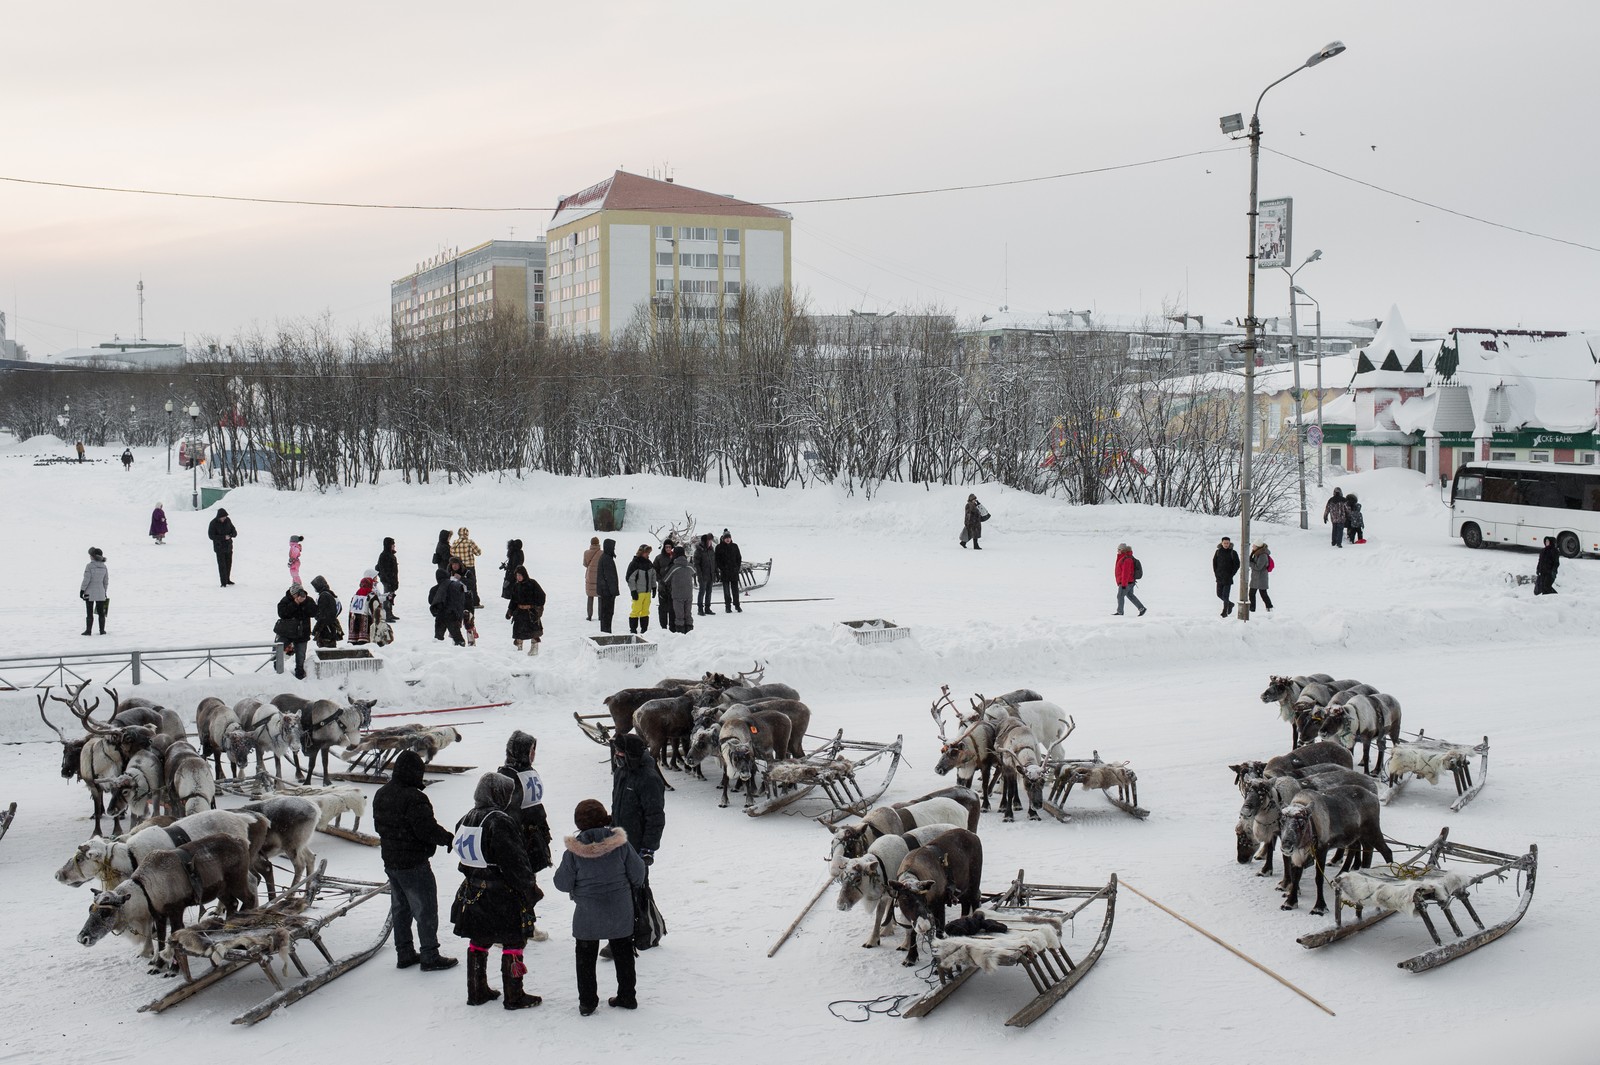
x: 1524, y: 503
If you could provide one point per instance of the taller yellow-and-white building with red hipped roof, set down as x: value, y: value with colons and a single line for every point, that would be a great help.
x: 631, y: 241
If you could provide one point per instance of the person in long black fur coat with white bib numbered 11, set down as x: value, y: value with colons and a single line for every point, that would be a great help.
x: 495, y: 903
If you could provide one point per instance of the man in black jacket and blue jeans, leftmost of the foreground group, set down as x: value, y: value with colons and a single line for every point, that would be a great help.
x: 407, y: 836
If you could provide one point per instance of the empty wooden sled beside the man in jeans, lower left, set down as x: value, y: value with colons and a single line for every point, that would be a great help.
x: 268, y: 936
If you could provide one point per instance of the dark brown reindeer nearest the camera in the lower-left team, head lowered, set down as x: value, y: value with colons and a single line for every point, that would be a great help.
x: 164, y: 887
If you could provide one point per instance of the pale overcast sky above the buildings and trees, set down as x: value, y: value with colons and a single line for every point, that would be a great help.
x: 1481, y: 108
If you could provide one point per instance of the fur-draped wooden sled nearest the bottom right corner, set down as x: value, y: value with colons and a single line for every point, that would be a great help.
x: 1420, y: 884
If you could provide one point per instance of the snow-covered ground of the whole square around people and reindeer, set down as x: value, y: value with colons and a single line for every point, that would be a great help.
x: 1466, y: 650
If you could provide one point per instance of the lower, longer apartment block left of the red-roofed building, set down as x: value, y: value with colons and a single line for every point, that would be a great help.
x: 455, y: 289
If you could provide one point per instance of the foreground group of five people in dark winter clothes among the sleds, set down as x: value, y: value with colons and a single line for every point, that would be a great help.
x: 500, y: 847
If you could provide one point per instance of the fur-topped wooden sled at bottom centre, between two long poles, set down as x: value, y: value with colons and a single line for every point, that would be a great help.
x: 1049, y: 965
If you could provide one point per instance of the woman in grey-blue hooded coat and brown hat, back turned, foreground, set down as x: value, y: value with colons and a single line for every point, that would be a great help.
x: 601, y: 871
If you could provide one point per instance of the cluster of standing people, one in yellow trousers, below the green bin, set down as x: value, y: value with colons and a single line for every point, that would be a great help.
x: 670, y: 580
